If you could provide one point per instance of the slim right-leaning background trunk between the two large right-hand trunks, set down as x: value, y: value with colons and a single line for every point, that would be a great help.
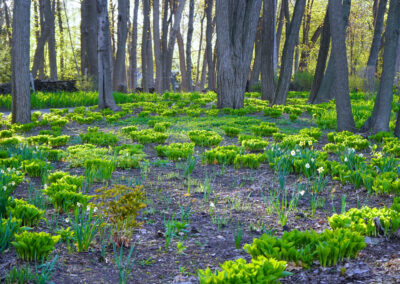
x: 370, y: 70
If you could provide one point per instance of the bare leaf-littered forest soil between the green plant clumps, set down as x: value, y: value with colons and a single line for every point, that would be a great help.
x: 236, y: 200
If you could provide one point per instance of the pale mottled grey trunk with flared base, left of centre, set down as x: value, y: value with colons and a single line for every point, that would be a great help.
x: 106, y: 99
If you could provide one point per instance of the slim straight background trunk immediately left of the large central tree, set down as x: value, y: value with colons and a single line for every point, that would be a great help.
x: 209, y: 33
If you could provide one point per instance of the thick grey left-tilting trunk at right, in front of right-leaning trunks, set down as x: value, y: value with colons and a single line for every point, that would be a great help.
x: 344, y: 113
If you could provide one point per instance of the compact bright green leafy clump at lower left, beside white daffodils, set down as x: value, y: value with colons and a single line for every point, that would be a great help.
x: 34, y: 246
